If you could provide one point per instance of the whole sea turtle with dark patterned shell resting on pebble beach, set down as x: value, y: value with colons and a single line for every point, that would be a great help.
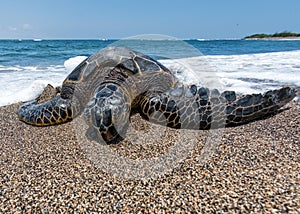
x: 111, y: 85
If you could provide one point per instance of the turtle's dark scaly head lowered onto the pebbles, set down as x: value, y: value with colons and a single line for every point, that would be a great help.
x: 107, y: 114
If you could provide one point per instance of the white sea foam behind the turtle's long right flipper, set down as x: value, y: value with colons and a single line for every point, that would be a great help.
x: 248, y: 73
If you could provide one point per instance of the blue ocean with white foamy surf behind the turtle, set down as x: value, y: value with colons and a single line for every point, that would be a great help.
x: 27, y: 66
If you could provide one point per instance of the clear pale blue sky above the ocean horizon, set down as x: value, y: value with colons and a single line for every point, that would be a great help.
x: 210, y: 19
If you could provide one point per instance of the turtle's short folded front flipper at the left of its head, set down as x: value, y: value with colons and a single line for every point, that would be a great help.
x: 52, y: 112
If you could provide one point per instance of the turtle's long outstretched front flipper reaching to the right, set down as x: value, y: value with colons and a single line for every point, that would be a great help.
x: 189, y: 107
